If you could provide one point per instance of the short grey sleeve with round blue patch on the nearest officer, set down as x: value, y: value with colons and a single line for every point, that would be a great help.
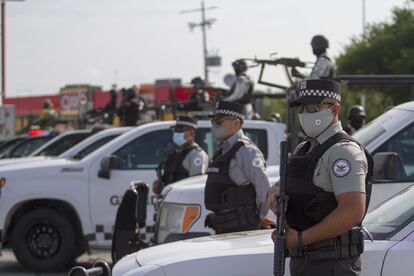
x: 348, y: 168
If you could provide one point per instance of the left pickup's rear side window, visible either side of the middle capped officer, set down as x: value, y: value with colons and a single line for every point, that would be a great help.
x: 205, y: 139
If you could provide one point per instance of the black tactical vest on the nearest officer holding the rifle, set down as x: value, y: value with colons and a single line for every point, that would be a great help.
x: 309, y: 204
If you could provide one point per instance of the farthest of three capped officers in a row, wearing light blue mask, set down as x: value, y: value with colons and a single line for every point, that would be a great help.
x: 188, y: 160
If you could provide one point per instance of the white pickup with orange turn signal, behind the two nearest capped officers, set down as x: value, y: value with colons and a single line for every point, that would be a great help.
x: 391, y: 132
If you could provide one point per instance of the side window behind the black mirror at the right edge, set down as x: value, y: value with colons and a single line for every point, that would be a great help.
x: 403, y: 144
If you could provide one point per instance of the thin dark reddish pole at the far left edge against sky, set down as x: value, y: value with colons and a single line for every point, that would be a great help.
x: 3, y: 50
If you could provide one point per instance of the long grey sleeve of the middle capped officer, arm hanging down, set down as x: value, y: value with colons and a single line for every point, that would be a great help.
x: 253, y: 166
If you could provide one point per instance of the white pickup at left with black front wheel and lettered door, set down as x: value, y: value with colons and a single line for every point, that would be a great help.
x: 53, y: 210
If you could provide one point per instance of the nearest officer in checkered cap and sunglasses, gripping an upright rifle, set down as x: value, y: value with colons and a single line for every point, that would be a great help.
x: 328, y: 184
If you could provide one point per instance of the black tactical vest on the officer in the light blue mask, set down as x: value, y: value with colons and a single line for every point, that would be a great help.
x: 173, y: 166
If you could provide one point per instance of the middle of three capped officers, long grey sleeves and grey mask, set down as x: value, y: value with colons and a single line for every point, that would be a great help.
x: 236, y: 183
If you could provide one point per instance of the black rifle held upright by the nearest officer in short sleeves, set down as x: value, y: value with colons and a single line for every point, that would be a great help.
x: 282, y: 198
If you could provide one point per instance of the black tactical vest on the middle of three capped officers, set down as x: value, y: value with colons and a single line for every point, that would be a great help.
x: 234, y: 206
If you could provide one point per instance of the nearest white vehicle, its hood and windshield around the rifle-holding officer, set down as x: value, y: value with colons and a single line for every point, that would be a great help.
x: 390, y: 253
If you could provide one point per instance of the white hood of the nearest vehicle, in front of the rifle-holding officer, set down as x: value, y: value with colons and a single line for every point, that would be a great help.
x: 242, y: 253
